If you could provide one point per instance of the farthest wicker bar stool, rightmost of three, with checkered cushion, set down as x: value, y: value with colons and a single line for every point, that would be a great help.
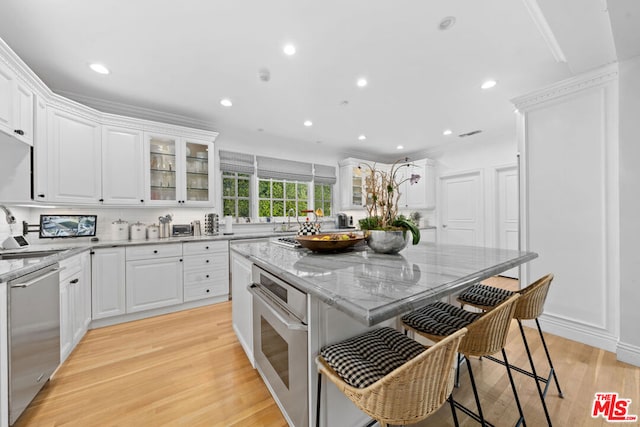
x: 529, y: 307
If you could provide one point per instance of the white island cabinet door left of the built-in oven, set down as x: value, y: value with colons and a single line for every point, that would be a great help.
x: 242, y: 303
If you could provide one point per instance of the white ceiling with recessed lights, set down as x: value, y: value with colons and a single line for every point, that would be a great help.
x: 183, y: 57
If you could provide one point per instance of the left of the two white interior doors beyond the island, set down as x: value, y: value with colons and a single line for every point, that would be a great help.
x: 462, y: 213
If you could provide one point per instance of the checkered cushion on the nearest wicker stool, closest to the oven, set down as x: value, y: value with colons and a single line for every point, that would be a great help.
x: 364, y: 359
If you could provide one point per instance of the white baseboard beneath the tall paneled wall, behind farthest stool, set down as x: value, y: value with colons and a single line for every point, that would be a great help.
x: 578, y: 332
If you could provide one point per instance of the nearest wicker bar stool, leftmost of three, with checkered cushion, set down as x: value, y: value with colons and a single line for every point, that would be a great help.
x: 390, y: 377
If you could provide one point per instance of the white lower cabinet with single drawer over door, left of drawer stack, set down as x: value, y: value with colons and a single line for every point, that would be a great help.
x: 153, y: 277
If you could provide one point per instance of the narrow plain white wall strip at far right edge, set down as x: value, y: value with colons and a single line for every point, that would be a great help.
x: 629, y: 345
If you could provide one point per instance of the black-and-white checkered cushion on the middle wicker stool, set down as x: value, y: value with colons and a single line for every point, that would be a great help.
x: 439, y: 319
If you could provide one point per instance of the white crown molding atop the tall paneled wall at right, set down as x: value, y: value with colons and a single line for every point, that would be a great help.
x: 598, y: 77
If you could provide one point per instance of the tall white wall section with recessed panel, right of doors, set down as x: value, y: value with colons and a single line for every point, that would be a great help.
x: 569, y: 174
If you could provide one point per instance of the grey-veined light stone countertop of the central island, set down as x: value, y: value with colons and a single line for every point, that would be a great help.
x: 373, y: 287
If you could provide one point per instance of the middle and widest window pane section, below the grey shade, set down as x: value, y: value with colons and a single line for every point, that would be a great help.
x: 277, y: 197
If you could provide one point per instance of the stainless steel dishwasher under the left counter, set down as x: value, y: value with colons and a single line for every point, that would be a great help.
x: 34, y: 335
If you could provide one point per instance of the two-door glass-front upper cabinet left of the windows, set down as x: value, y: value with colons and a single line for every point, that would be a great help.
x: 179, y: 171
